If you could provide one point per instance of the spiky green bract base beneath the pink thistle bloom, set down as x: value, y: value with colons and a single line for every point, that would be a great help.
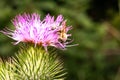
x: 33, y: 63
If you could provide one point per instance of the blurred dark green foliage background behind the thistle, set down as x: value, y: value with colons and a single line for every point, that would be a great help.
x: 96, y: 28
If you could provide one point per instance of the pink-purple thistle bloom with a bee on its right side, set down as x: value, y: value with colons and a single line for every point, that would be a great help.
x: 48, y: 32
